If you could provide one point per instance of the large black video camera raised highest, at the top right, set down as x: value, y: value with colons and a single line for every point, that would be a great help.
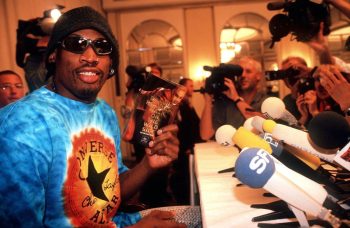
x: 302, y: 19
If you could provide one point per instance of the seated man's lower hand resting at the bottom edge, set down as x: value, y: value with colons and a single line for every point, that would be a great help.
x: 158, y: 218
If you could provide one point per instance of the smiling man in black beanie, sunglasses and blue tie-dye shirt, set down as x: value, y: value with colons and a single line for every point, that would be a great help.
x: 61, y: 164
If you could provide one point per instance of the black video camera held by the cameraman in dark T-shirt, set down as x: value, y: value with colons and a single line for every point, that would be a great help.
x: 214, y: 84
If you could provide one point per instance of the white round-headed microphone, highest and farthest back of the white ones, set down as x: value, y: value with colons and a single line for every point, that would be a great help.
x: 274, y: 108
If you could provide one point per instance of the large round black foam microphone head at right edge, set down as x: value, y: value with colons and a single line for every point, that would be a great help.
x: 329, y: 130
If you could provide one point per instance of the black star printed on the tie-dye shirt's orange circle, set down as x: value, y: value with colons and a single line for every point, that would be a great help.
x: 95, y: 181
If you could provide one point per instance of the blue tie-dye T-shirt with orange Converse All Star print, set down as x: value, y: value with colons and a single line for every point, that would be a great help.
x: 60, y: 163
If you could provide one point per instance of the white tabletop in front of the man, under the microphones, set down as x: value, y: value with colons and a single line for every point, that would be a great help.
x: 222, y: 203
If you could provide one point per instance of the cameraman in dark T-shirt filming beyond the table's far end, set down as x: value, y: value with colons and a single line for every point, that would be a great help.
x: 237, y: 104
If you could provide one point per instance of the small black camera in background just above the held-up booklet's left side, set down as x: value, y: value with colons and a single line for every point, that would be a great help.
x: 138, y: 76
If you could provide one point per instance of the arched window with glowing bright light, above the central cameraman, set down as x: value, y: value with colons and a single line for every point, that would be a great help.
x: 247, y: 34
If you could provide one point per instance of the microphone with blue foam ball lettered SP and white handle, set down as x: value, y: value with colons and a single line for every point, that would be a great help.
x: 257, y: 169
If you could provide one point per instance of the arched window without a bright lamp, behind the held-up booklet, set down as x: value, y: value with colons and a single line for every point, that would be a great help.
x: 156, y: 41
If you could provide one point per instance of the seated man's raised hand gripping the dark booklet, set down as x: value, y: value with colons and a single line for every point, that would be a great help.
x: 164, y: 149
